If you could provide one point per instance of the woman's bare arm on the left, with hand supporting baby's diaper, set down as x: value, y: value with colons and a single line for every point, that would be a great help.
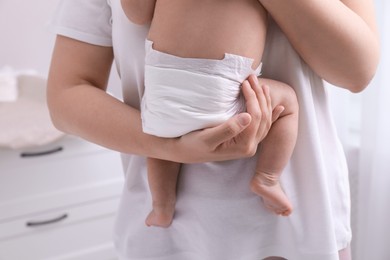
x: 80, y: 106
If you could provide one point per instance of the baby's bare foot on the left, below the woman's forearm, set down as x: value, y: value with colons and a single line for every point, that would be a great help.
x: 161, y: 215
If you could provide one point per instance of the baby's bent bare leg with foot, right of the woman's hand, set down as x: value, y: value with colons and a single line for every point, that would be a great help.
x: 276, y: 149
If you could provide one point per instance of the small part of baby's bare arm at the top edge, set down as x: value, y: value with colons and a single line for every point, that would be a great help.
x: 139, y: 11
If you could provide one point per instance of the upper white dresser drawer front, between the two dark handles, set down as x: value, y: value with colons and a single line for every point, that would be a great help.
x: 58, y: 184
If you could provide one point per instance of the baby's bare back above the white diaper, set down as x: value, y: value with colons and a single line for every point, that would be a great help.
x: 209, y: 28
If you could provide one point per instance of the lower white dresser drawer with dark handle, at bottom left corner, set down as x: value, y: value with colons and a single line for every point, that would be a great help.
x: 85, y: 234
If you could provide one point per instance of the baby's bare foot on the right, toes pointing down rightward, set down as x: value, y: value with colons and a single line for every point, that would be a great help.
x: 273, y: 195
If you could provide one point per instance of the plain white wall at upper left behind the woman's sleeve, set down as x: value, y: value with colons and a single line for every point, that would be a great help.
x: 25, y: 41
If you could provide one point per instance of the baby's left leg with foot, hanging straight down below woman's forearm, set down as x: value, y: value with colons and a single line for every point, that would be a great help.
x: 162, y: 177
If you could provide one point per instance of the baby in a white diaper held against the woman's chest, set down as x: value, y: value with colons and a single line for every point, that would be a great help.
x: 198, y: 53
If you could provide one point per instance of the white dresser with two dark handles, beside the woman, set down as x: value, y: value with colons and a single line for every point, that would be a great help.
x: 59, y: 201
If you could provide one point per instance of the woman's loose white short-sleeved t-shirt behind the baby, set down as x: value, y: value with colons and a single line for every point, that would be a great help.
x: 217, y: 216
